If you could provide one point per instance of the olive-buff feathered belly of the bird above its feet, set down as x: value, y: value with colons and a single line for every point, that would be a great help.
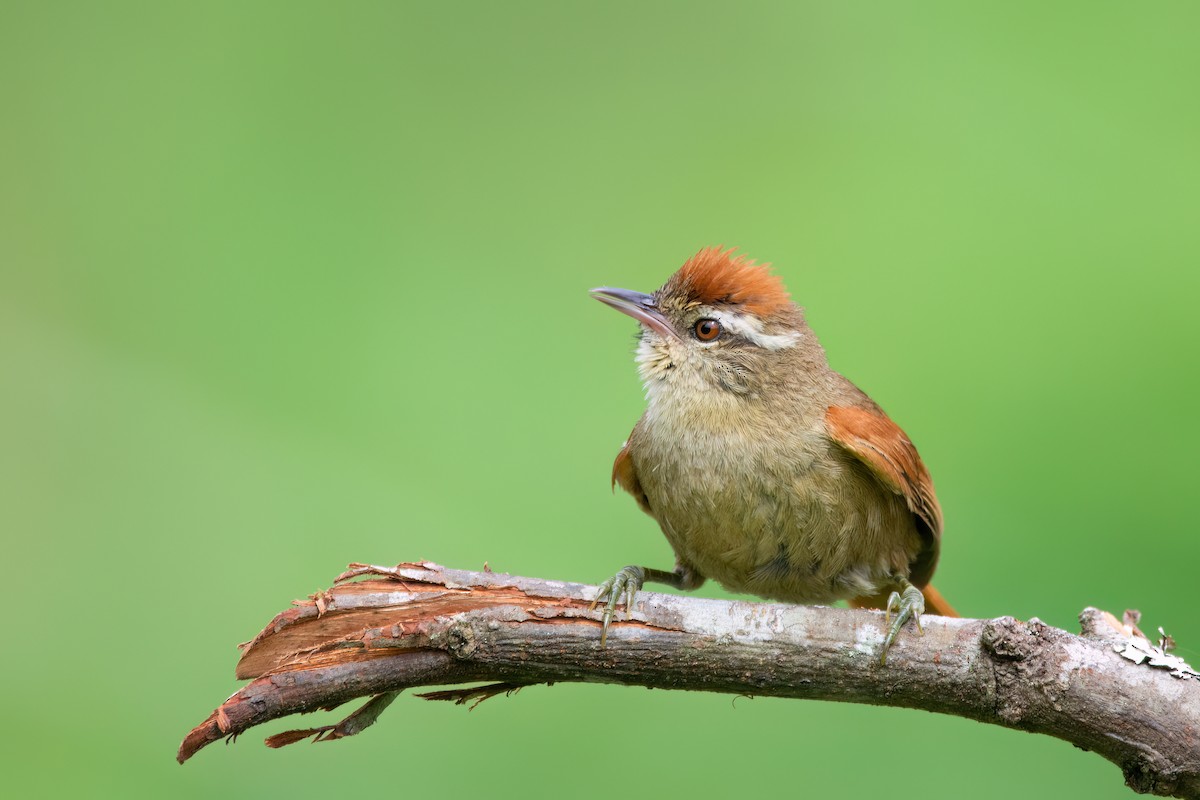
x: 819, y: 532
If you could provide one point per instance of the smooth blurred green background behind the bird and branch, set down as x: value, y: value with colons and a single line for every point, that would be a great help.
x: 286, y: 286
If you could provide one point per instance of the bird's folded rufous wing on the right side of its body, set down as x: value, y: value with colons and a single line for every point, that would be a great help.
x: 879, y: 443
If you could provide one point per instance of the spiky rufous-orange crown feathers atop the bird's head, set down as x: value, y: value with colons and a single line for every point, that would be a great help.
x: 717, y: 276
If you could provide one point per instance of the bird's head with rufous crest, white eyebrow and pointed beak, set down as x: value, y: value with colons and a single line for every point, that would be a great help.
x: 721, y: 323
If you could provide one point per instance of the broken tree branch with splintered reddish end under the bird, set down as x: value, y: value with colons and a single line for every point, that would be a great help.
x: 382, y: 630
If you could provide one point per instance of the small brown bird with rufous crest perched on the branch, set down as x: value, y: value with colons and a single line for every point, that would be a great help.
x: 767, y: 471
